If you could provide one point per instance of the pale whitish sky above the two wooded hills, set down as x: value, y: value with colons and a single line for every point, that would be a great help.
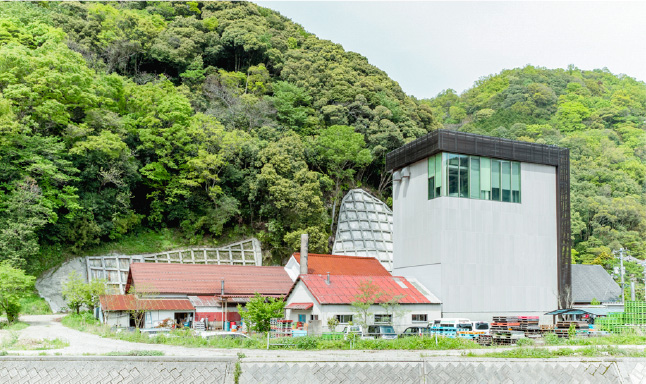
x: 431, y: 46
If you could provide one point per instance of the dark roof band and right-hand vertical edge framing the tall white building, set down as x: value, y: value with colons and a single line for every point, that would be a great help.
x: 477, y: 145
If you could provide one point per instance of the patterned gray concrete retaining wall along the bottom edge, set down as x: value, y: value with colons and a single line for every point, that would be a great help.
x: 223, y: 370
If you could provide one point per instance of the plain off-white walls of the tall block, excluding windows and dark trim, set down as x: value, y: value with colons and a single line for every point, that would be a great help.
x: 481, y: 258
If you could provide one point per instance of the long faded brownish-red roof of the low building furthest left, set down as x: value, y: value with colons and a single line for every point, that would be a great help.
x: 201, y: 280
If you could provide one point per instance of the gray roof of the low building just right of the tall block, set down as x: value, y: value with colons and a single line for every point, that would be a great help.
x: 593, y: 282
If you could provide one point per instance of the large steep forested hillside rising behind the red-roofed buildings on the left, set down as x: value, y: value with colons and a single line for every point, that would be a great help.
x: 210, y: 119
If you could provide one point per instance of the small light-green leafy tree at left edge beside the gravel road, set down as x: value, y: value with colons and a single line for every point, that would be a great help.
x: 15, y: 284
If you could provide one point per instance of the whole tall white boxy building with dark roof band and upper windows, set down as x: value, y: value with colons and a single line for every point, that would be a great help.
x: 483, y: 223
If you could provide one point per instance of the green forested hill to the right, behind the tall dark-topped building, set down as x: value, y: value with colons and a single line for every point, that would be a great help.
x: 600, y: 117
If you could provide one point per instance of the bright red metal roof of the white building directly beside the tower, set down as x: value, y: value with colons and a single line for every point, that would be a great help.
x: 344, y: 289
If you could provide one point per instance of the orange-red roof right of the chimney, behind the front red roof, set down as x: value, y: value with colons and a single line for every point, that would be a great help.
x: 342, y: 265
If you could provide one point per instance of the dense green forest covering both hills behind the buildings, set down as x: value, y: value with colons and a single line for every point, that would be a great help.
x: 227, y: 119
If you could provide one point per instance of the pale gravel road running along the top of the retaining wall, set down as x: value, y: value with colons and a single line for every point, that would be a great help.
x: 81, y: 343
